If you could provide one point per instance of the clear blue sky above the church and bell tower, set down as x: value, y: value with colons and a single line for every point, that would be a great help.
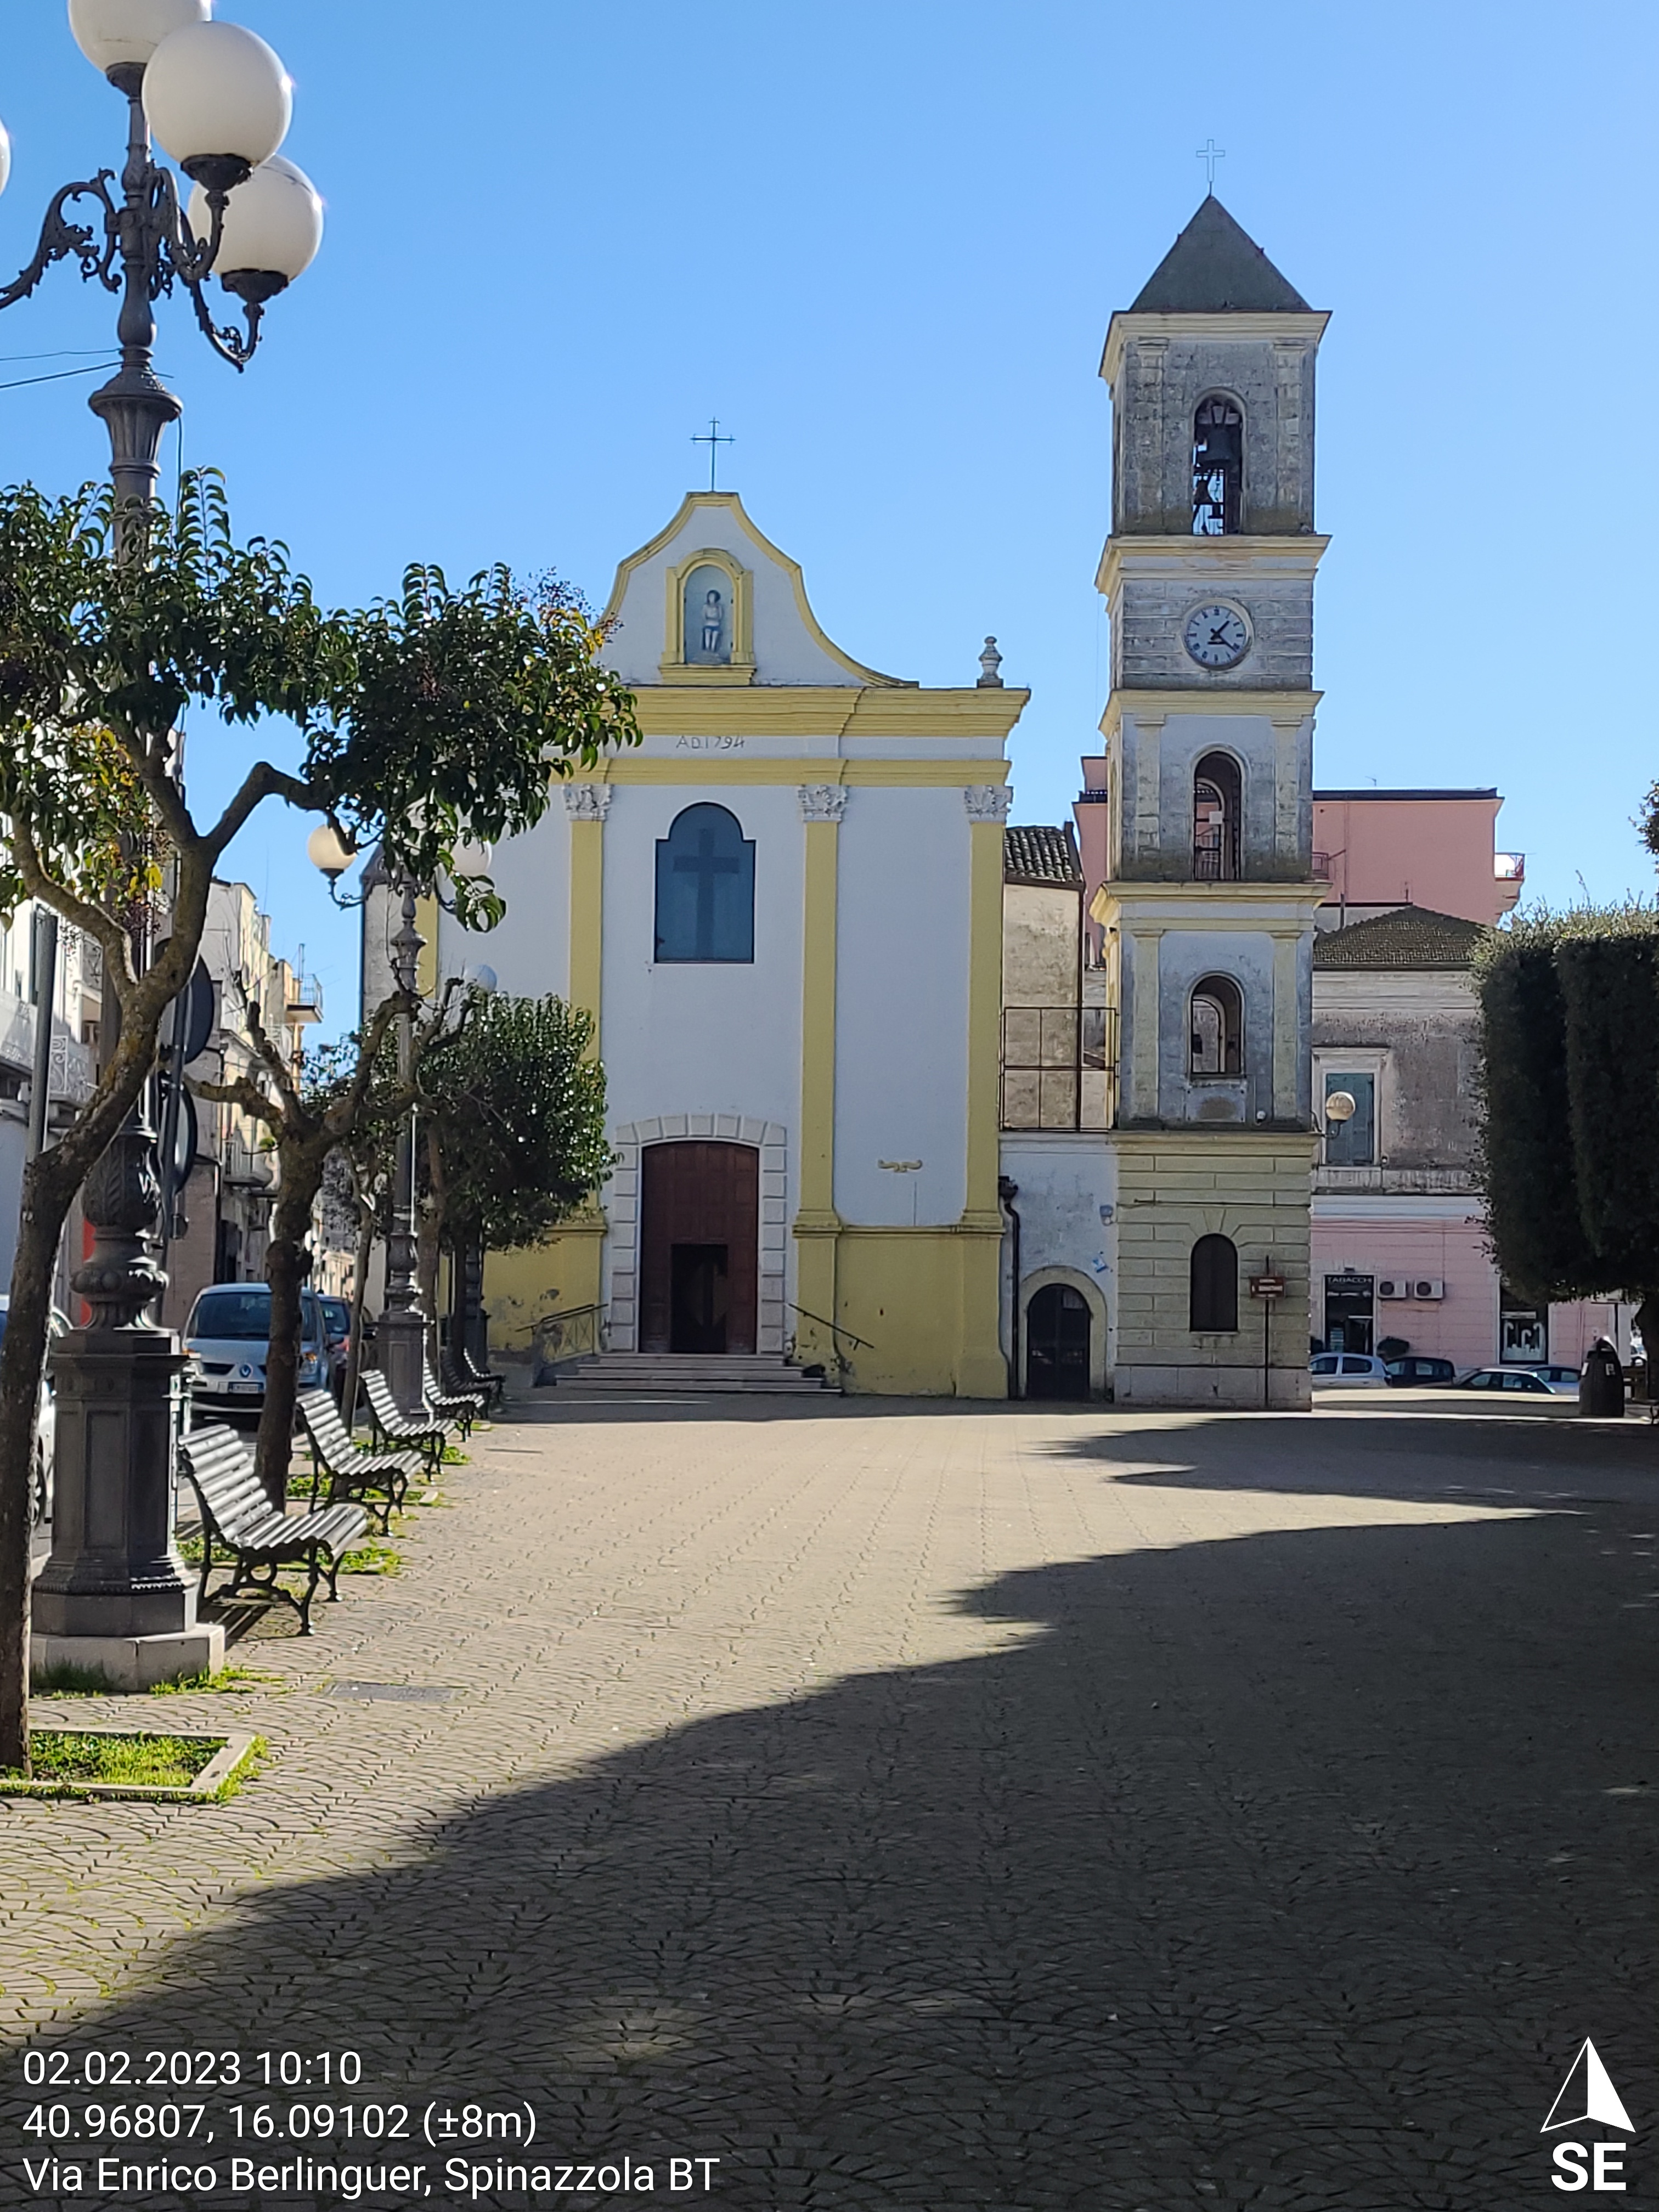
x: 881, y: 242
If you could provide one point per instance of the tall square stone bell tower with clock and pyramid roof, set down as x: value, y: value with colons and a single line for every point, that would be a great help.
x: 1209, y: 904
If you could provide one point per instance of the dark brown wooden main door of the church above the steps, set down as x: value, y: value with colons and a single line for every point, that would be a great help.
x: 700, y: 1233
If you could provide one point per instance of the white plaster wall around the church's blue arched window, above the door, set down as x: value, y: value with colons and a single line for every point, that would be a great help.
x: 720, y: 1039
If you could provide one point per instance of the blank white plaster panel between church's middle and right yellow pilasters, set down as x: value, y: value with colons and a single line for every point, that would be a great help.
x: 904, y: 1005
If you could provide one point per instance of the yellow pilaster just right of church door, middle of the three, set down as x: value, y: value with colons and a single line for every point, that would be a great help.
x: 817, y: 1222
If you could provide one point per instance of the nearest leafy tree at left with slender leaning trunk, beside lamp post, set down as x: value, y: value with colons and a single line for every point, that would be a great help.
x: 424, y: 720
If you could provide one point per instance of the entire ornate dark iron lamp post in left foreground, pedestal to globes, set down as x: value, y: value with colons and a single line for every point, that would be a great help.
x: 114, y: 1594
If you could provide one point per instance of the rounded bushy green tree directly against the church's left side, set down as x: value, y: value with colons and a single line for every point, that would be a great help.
x: 512, y: 1112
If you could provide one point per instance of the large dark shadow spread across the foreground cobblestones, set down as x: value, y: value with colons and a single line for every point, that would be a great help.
x: 1286, y: 1870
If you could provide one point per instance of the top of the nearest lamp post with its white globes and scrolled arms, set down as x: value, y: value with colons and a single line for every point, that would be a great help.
x: 218, y: 101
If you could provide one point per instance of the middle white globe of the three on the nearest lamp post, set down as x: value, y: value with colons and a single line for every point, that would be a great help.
x: 218, y: 101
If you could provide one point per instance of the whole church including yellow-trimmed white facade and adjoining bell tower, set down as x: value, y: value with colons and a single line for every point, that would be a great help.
x: 786, y: 917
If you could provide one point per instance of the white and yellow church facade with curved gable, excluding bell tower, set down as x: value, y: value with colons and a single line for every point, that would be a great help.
x: 784, y: 917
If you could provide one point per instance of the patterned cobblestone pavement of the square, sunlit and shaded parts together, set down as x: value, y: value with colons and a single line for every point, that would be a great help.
x: 937, y: 1808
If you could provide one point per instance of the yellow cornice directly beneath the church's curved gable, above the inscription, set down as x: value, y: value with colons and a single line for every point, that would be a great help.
x: 826, y: 711
